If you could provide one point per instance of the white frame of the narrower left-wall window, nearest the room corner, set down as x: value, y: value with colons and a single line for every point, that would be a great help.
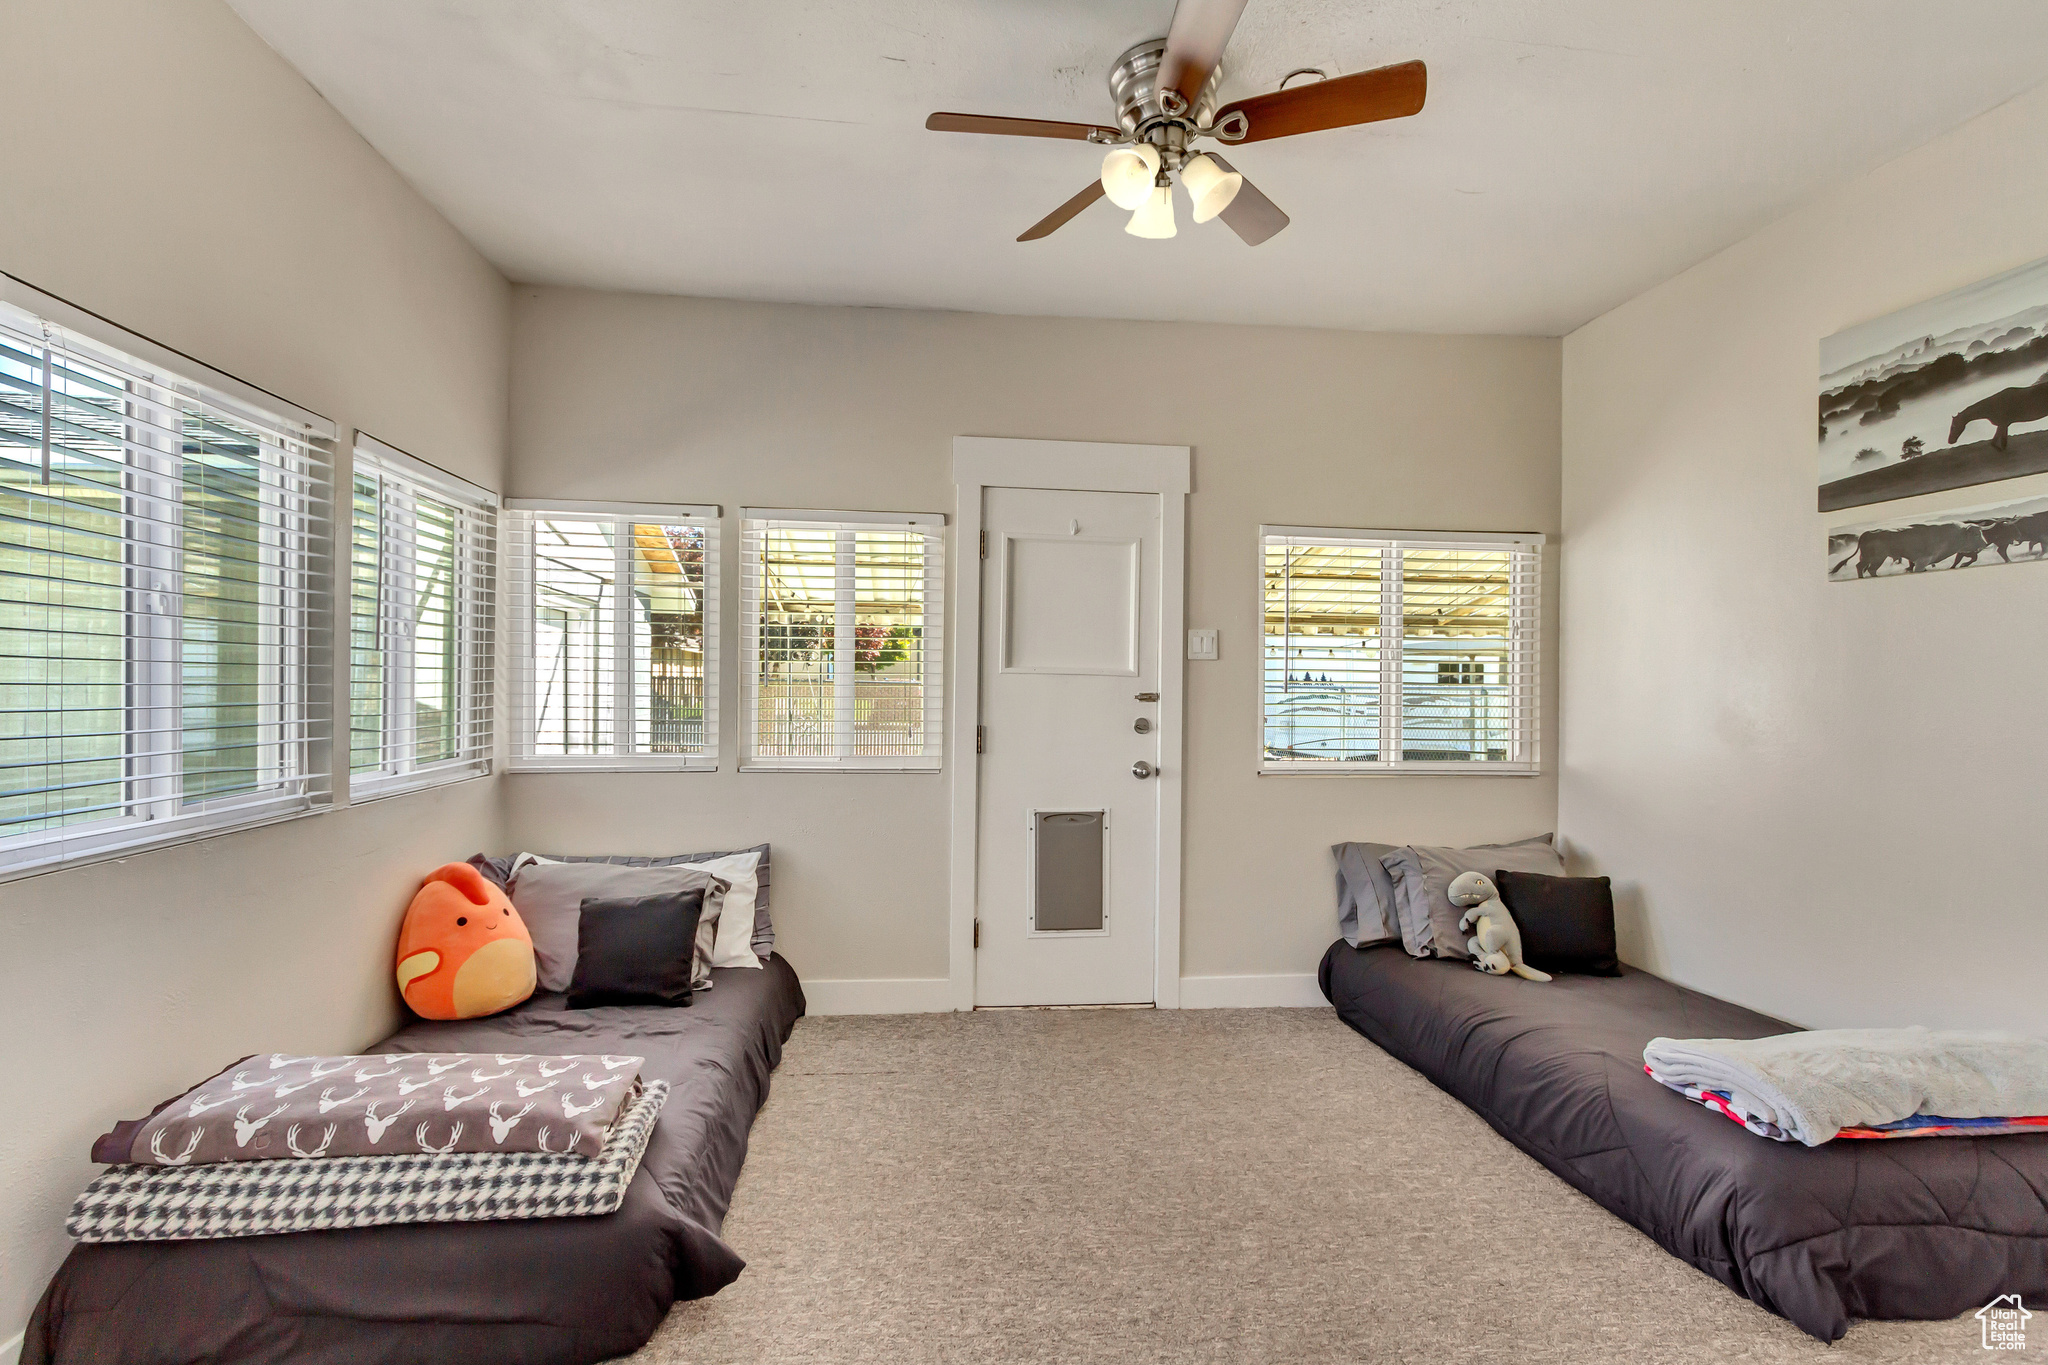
x: 474, y: 605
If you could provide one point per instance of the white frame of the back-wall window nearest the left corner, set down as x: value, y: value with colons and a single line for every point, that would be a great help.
x: 523, y: 513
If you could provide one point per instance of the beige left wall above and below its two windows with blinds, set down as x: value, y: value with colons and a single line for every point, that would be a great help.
x: 169, y: 171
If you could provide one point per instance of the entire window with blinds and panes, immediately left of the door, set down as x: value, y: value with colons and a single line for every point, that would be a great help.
x: 841, y: 631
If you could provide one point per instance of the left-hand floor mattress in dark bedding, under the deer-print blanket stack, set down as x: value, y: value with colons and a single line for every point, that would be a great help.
x: 556, y: 1290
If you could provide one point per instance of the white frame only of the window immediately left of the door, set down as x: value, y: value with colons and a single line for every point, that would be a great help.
x: 935, y: 640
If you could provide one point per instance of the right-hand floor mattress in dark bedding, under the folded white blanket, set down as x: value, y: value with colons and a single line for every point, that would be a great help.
x: 1926, y: 1229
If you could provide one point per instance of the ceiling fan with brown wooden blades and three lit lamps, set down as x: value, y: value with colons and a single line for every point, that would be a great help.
x: 1166, y: 97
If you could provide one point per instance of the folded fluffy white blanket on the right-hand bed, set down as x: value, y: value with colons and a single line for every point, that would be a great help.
x: 1818, y: 1084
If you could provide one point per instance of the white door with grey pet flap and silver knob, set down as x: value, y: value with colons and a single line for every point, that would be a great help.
x: 1068, y: 877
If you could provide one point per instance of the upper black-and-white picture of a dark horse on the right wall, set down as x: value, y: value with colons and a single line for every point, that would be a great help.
x: 1938, y: 396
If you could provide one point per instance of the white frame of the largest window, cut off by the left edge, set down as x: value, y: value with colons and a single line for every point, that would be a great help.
x: 296, y: 490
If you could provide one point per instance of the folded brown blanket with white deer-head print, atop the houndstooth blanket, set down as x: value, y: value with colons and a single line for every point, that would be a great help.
x: 271, y: 1108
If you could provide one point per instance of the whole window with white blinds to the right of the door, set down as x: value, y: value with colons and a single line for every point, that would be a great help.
x: 1400, y: 652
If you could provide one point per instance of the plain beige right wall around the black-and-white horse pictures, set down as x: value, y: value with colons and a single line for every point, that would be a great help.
x: 1822, y: 799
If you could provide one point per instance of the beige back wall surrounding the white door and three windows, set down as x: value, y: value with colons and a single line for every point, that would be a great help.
x: 787, y: 406
